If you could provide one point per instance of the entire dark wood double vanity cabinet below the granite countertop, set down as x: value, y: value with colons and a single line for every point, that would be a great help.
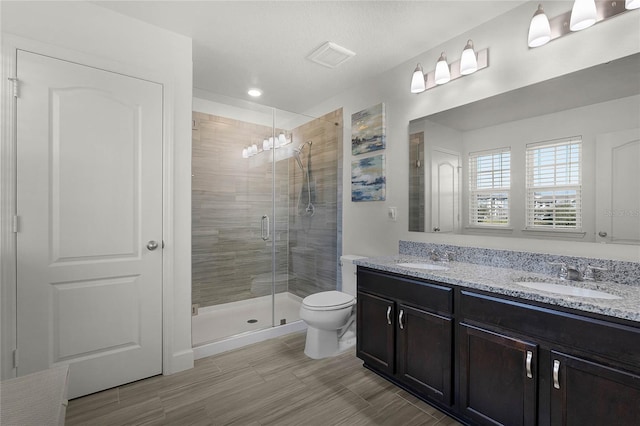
x: 488, y: 359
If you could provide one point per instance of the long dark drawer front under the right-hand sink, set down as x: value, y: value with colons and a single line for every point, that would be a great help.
x: 616, y: 342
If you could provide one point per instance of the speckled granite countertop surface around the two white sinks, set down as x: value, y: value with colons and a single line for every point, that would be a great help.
x: 504, y: 281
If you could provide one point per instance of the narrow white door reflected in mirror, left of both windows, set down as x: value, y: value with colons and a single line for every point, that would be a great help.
x: 445, y: 191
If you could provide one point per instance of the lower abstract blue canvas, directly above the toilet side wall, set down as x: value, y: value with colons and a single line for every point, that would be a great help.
x: 368, y: 182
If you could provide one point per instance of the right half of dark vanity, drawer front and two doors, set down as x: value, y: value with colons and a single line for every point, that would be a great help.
x: 549, y: 367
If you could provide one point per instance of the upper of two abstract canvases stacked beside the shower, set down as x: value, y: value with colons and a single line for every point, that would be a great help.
x: 368, y: 130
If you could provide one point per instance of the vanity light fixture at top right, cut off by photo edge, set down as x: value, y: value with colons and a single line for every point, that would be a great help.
x: 584, y: 14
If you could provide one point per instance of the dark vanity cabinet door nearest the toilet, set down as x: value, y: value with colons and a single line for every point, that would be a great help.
x: 375, y: 331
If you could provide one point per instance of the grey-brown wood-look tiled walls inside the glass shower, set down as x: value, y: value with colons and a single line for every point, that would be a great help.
x: 230, y: 262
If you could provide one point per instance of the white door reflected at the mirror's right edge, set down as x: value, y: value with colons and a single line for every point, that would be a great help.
x: 618, y: 187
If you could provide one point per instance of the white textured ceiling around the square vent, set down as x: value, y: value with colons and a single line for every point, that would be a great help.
x: 242, y: 44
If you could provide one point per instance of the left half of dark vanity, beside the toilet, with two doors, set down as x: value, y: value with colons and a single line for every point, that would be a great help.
x: 408, y: 335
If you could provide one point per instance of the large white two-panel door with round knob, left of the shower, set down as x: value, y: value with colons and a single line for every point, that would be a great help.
x: 89, y: 199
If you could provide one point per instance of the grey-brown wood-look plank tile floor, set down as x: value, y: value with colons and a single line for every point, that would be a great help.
x: 268, y: 383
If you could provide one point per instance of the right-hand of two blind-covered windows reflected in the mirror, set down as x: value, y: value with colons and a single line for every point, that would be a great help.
x: 554, y: 184
